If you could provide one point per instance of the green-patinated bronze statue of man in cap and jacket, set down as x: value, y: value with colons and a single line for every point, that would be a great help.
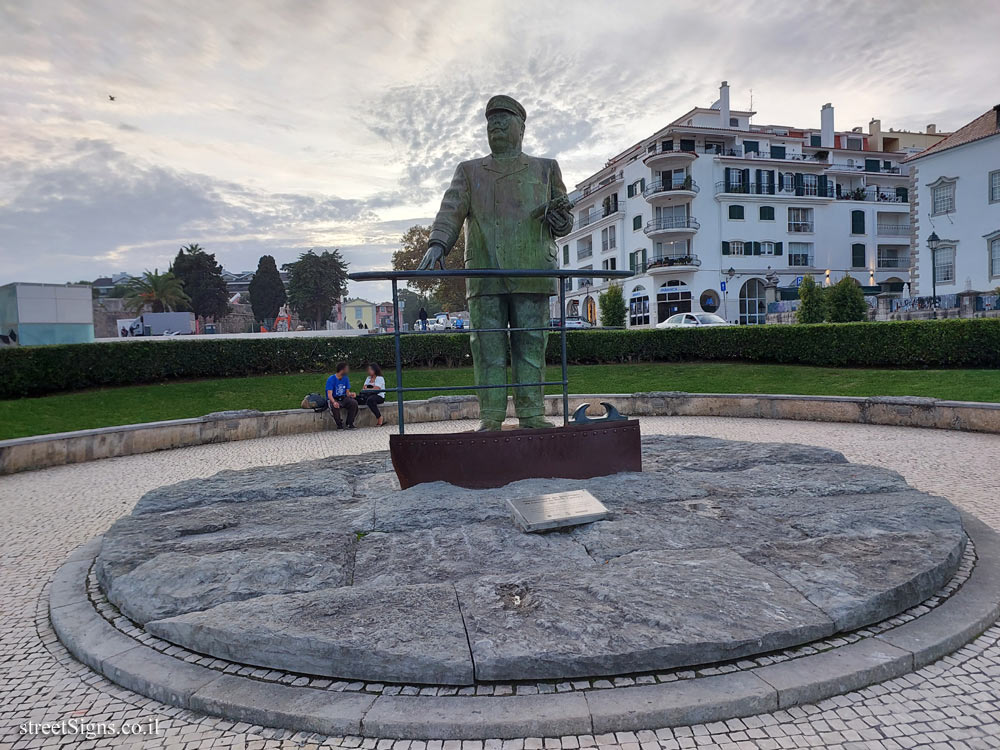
x: 513, y: 207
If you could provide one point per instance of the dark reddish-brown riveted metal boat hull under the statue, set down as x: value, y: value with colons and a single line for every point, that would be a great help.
x: 479, y: 460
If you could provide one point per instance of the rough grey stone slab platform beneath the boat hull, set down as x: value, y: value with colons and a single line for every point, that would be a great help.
x: 718, y: 550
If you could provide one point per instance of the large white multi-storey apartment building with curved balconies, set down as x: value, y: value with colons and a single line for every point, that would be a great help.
x: 714, y: 213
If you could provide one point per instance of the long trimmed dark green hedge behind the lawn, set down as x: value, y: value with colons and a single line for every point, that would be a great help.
x: 954, y: 343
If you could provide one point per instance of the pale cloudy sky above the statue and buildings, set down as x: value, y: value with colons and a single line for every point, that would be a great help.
x: 277, y: 126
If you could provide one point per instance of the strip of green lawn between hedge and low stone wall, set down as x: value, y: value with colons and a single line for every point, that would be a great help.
x: 174, y: 400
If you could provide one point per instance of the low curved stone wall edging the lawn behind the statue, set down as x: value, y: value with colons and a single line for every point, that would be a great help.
x: 42, y: 451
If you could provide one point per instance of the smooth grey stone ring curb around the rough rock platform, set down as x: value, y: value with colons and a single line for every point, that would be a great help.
x: 95, y: 642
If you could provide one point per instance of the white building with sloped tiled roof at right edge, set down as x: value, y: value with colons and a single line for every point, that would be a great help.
x: 957, y: 198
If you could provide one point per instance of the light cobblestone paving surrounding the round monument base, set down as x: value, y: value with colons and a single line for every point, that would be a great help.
x: 44, y: 515
